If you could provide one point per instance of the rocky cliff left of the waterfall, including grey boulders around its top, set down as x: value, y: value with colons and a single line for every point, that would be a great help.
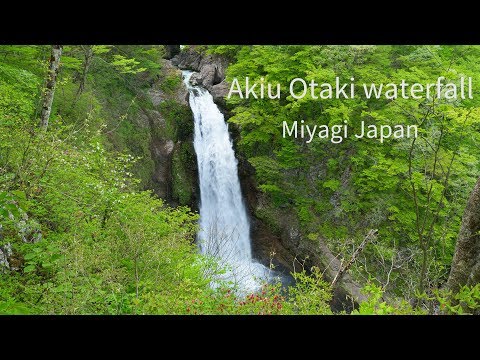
x: 169, y: 121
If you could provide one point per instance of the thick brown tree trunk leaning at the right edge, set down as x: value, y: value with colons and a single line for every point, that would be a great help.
x: 466, y: 261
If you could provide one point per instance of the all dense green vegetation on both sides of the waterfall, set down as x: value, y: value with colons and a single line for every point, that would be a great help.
x: 85, y: 234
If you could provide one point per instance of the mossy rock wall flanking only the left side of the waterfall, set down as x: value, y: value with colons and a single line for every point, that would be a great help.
x: 170, y: 121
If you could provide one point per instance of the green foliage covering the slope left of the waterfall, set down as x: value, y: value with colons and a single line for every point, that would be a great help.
x: 107, y: 246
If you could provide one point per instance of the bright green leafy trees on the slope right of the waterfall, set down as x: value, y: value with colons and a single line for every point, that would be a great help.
x: 413, y: 191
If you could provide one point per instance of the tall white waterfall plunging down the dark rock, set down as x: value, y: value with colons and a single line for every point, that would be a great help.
x: 224, y: 227
